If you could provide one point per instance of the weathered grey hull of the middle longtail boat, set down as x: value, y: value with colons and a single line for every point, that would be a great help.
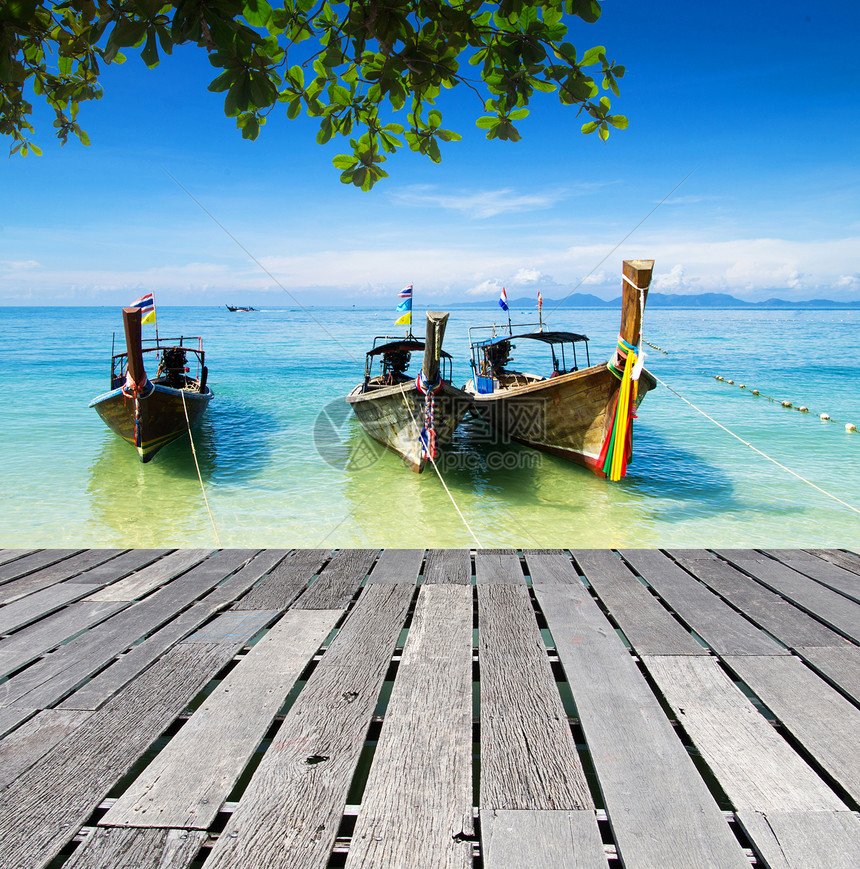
x: 394, y: 417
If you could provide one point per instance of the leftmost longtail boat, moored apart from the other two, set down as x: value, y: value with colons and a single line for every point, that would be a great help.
x: 149, y: 414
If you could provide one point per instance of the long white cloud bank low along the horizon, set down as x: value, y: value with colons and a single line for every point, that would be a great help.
x: 465, y: 266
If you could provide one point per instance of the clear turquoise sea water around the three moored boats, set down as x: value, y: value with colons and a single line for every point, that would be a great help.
x: 284, y: 464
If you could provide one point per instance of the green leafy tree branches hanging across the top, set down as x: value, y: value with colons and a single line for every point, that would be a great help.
x: 356, y: 65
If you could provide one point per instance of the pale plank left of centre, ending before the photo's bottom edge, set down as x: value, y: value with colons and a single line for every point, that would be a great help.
x: 186, y: 784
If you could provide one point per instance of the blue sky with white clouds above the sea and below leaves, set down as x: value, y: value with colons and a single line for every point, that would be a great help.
x: 755, y: 105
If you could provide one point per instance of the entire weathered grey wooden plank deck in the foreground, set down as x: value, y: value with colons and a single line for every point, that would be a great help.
x: 473, y: 710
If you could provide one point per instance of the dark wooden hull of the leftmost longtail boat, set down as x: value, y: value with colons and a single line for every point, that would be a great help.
x: 162, y: 416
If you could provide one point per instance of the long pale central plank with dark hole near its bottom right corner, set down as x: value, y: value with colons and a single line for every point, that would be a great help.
x: 418, y: 798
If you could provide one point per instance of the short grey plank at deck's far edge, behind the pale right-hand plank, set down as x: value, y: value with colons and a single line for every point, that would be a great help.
x: 650, y: 629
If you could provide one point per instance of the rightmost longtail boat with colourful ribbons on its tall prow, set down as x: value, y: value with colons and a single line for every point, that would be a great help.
x: 581, y: 414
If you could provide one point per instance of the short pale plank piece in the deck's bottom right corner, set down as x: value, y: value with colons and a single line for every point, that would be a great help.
x: 804, y: 840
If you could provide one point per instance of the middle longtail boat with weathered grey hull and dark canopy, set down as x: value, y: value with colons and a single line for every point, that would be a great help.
x: 412, y: 416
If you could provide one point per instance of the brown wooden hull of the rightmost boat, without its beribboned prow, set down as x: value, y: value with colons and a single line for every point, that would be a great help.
x: 568, y: 416
